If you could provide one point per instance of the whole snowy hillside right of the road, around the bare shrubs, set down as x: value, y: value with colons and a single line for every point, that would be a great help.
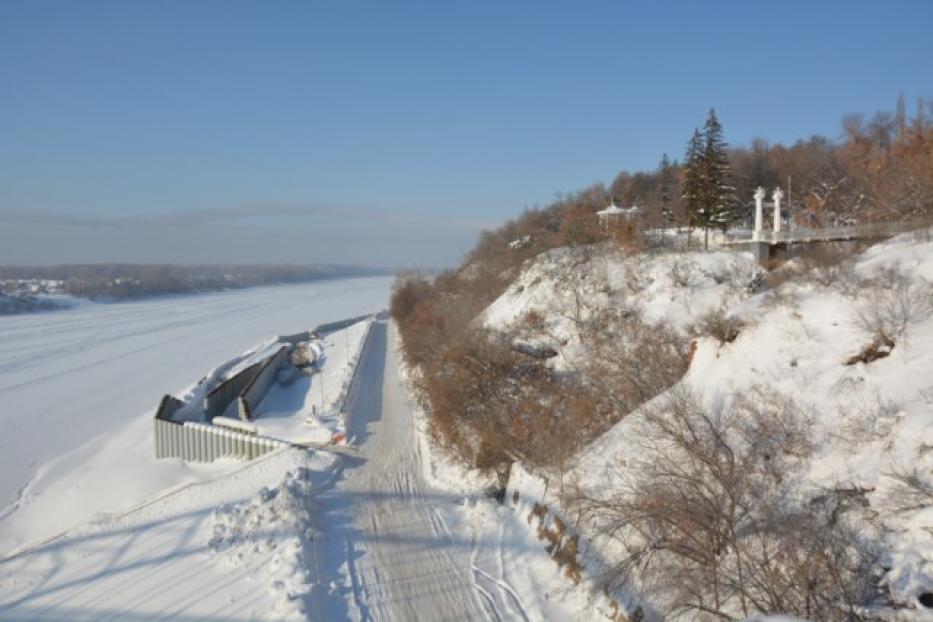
x: 848, y: 349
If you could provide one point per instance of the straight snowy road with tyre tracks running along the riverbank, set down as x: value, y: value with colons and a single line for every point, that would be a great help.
x: 383, y: 540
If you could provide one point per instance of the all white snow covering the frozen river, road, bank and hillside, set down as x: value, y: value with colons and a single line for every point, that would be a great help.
x: 396, y: 528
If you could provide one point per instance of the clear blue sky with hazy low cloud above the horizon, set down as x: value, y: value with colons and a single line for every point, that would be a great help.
x: 391, y: 133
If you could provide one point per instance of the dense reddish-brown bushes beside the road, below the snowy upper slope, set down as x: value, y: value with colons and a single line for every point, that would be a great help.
x: 492, y: 401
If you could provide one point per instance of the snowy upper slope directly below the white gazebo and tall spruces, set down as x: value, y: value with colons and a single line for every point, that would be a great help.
x: 568, y: 287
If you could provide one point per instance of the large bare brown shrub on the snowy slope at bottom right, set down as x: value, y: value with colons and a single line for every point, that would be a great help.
x: 707, y: 513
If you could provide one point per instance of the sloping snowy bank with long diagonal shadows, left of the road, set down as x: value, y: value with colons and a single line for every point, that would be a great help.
x: 210, y: 550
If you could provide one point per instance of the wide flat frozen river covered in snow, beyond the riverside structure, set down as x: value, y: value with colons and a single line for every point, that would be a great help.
x: 69, y: 377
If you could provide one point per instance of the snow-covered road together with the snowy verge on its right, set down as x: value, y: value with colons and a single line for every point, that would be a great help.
x: 405, y: 535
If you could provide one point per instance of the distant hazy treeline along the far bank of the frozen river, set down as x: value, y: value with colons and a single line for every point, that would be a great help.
x: 129, y: 281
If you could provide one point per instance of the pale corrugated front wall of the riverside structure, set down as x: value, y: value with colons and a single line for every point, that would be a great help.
x: 196, y: 442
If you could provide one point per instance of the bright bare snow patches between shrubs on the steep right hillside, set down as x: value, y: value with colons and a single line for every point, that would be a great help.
x: 871, y: 419
